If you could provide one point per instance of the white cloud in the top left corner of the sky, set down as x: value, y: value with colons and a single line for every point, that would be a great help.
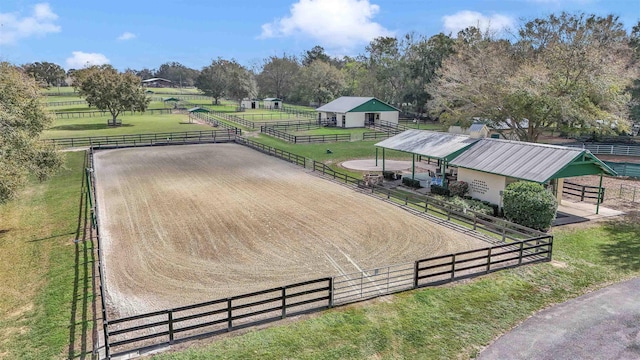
x: 40, y: 22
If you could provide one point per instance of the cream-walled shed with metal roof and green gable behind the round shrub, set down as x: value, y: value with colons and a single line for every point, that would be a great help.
x: 491, y: 164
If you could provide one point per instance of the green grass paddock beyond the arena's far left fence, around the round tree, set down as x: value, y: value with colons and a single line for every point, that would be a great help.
x: 131, y: 124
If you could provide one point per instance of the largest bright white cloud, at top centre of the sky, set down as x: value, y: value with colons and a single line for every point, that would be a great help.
x: 333, y: 23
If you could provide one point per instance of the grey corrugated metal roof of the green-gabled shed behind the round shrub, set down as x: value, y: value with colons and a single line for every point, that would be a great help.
x: 521, y: 160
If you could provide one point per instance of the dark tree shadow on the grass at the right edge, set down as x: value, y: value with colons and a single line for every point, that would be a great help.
x: 623, y: 251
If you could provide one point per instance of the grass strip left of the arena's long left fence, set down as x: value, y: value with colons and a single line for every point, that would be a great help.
x: 45, y: 278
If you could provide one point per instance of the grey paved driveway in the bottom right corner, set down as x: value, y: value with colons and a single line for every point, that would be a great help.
x: 604, y: 324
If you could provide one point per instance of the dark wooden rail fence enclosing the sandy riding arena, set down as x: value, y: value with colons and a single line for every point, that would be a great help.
x: 516, y: 246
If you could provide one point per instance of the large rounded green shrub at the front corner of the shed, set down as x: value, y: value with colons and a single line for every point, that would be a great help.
x: 529, y: 204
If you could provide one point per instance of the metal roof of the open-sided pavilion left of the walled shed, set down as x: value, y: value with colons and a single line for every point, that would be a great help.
x: 432, y: 144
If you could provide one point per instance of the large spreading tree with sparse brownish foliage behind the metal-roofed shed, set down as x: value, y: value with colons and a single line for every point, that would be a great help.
x: 566, y: 72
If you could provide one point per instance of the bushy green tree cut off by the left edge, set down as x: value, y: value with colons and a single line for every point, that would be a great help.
x: 22, y: 119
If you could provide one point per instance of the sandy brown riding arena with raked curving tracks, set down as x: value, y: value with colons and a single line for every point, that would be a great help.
x: 186, y: 224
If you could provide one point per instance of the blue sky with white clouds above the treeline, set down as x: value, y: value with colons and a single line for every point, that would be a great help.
x: 139, y: 34
